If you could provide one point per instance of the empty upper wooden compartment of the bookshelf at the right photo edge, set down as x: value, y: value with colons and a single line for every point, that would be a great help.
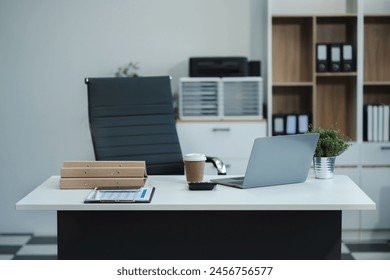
x: 376, y: 48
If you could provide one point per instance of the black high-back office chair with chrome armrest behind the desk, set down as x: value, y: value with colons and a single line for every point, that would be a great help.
x: 133, y: 119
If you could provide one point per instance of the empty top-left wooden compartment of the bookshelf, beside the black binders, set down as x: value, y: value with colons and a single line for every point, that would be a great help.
x: 292, y: 50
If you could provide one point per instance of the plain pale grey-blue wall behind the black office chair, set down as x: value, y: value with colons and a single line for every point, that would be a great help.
x: 47, y: 49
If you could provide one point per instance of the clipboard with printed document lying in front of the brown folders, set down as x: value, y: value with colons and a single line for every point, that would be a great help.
x: 141, y: 195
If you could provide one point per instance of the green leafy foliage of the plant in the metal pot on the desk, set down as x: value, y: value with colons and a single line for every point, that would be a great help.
x: 331, y: 142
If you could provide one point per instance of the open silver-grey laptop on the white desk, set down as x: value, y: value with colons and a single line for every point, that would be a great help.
x: 276, y: 160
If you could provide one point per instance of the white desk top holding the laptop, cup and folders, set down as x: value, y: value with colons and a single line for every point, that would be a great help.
x: 172, y: 193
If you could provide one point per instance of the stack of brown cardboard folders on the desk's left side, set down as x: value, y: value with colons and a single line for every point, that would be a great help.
x: 103, y: 174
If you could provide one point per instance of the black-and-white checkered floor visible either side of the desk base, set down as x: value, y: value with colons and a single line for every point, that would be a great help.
x: 30, y: 247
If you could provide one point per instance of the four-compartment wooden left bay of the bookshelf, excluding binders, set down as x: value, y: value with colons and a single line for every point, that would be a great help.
x: 296, y: 86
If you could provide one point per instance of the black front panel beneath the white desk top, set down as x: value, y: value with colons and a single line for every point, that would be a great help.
x: 193, y: 235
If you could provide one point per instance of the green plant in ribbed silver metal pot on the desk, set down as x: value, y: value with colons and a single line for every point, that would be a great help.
x: 331, y: 143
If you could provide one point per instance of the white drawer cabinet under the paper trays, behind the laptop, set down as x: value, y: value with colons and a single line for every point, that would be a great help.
x: 231, y: 141
